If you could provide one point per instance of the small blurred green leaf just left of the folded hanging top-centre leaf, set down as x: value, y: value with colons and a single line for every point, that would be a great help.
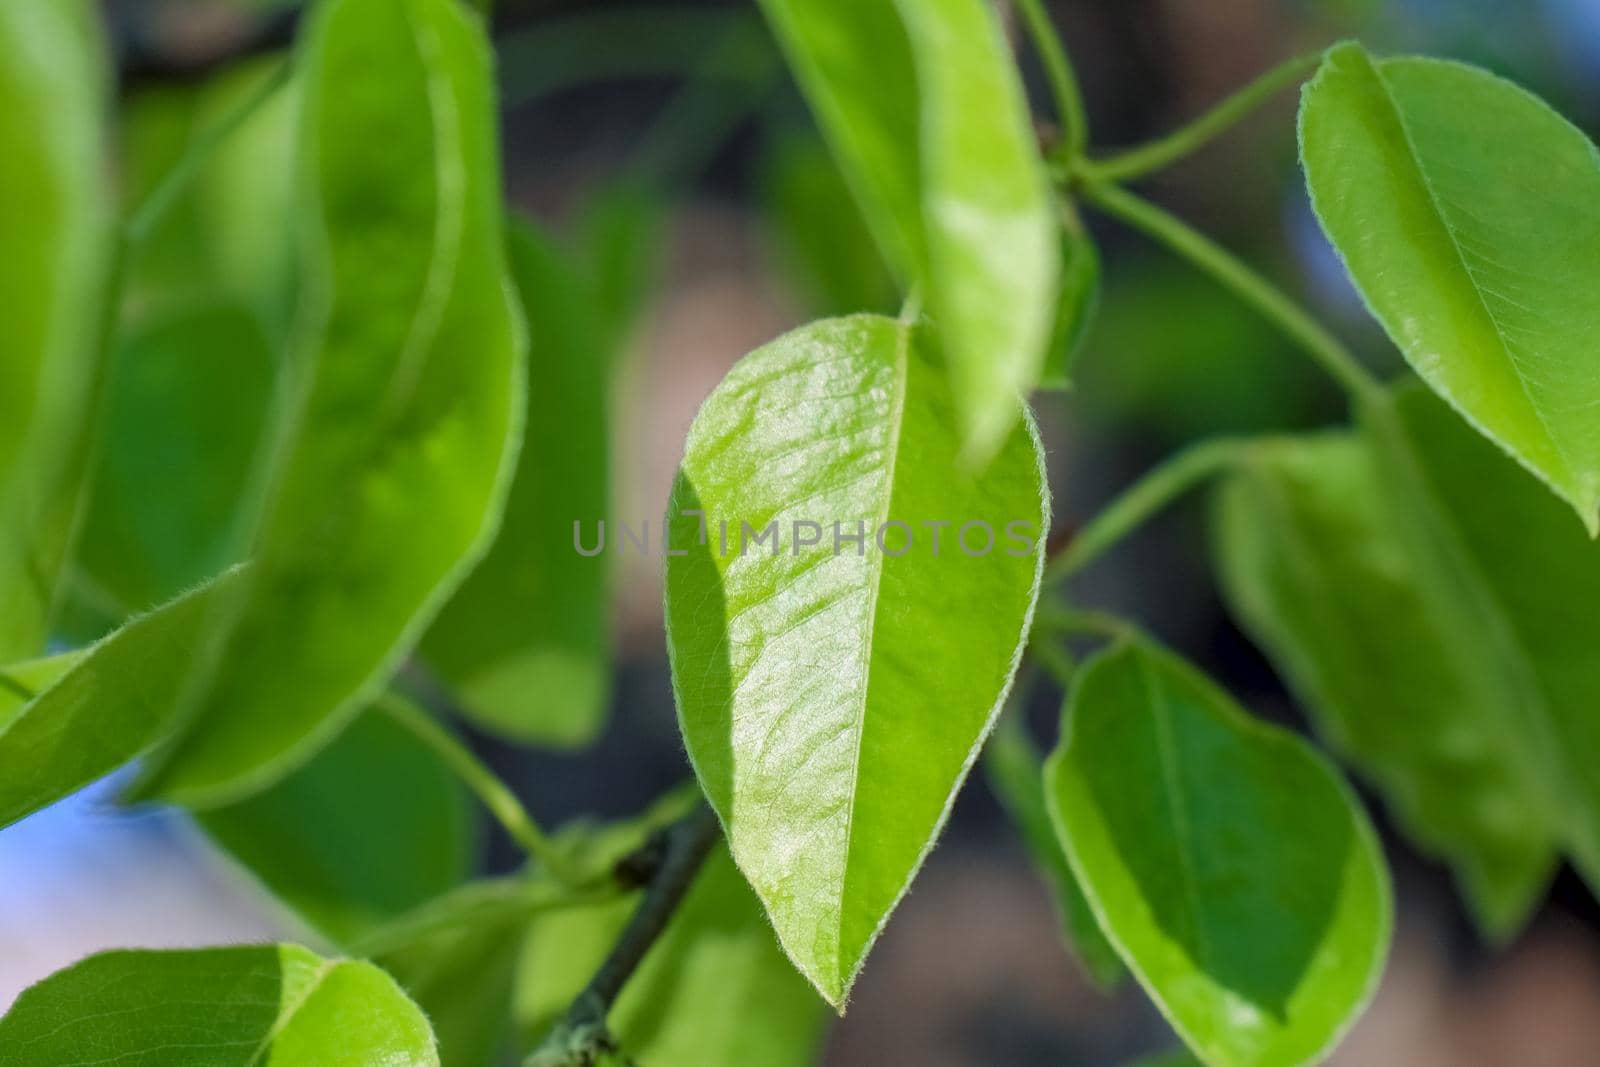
x: 818, y: 233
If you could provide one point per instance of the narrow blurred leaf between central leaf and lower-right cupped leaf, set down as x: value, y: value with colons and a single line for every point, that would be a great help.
x: 1017, y: 775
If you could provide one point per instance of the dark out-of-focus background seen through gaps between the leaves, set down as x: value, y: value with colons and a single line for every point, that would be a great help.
x: 689, y: 105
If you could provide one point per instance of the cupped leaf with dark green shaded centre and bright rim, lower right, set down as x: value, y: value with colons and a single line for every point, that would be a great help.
x: 1226, y: 860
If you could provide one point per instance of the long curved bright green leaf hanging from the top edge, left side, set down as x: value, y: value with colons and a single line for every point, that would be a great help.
x: 406, y: 436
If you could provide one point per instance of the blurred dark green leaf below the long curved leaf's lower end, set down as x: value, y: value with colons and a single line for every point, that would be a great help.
x: 372, y: 828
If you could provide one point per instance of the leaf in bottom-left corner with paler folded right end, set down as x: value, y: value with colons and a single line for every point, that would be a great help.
x: 250, y: 1007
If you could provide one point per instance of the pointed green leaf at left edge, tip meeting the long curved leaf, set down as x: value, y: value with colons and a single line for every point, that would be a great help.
x: 119, y: 700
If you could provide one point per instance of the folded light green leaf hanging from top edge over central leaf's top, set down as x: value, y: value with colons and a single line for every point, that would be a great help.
x: 926, y: 113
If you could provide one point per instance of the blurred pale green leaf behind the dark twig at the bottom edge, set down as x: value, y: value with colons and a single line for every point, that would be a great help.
x: 718, y: 951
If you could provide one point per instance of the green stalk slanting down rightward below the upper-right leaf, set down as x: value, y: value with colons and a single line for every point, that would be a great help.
x: 1242, y: 281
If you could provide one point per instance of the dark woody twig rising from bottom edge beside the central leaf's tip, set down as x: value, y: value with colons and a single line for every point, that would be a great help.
x: 582, y: 1039
